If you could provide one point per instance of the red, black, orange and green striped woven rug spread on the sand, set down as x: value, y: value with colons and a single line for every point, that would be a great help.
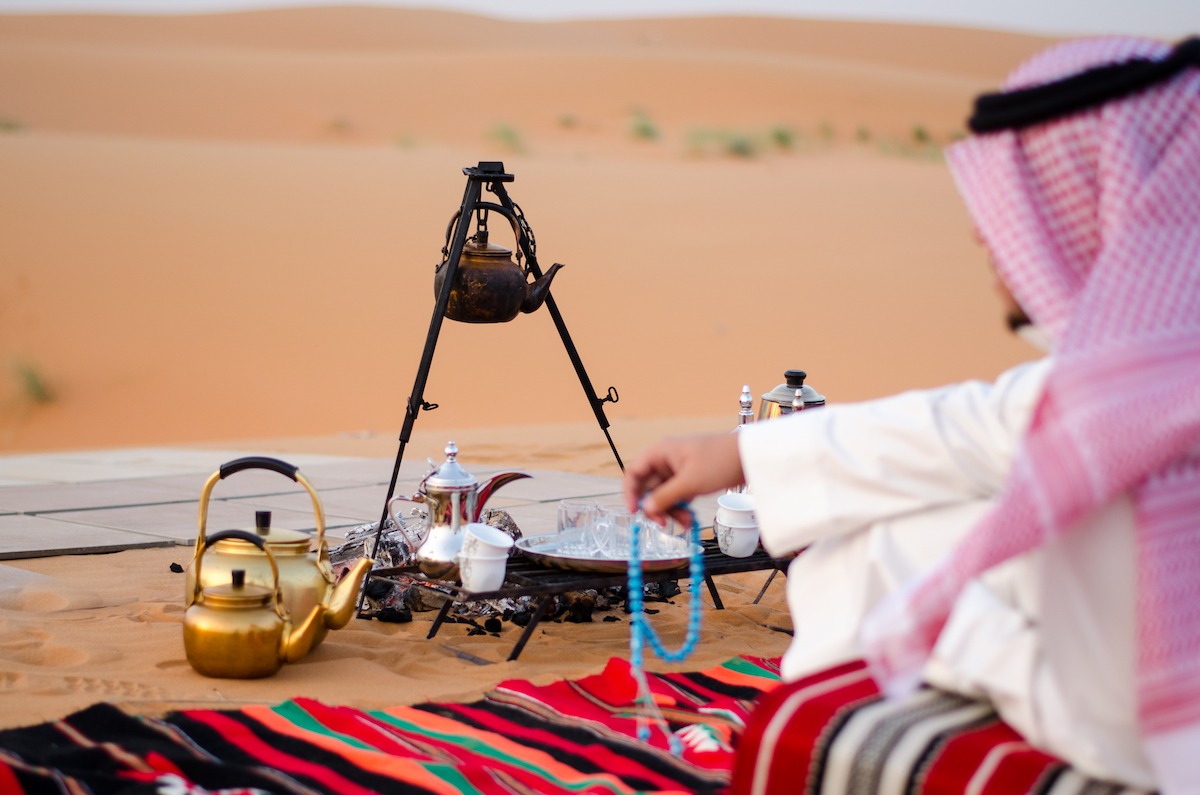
x: 571, y: 737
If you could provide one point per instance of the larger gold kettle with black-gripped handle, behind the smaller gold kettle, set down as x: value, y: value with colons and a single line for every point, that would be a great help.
x: 307, y: 577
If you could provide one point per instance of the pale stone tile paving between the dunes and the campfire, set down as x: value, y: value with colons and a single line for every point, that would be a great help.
x: 79, y: 504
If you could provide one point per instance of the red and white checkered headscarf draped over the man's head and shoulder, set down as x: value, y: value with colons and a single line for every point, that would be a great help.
x: 1094, y: 222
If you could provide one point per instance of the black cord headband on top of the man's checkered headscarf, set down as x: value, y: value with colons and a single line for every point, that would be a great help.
x: 1094, y: 87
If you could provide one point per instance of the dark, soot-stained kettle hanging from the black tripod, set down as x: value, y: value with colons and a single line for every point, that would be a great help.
x: 489, y: 286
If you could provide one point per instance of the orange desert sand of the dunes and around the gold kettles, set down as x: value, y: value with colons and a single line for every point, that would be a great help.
x: 223, y: 230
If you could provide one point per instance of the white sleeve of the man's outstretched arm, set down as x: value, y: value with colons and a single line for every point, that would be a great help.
x: 835, y: 470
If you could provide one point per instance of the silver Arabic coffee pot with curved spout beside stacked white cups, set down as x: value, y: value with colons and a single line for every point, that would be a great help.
x: 452, y: 499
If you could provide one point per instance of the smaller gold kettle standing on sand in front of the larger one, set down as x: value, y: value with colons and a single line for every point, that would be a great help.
x: 242, y: 631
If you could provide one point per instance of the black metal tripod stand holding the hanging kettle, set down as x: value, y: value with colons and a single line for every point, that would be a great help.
x: 493, y: 176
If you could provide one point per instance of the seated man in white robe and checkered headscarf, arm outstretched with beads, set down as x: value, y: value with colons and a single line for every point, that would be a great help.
x: 1034, y: 542
